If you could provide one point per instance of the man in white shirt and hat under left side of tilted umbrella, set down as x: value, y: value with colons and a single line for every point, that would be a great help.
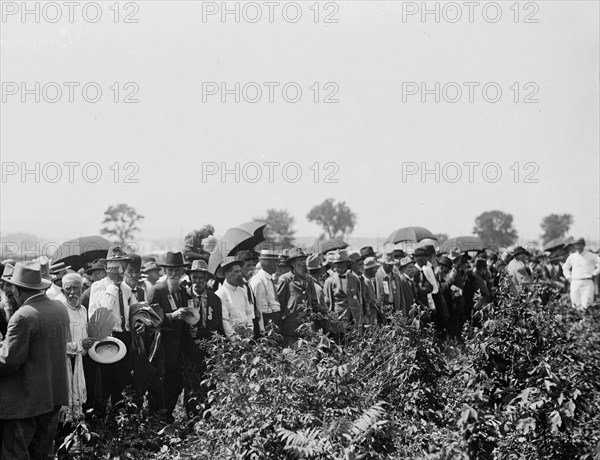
x: 238, y: 311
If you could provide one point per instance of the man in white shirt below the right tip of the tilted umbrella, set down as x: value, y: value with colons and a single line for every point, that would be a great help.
x: 264, y: 289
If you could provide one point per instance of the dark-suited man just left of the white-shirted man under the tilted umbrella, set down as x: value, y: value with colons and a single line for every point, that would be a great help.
x: 210, y: 322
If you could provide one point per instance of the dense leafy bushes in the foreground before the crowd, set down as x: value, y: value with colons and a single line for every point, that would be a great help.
x: 522, y: 385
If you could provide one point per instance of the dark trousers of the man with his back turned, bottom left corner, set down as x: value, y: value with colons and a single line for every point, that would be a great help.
x: 30, y: 438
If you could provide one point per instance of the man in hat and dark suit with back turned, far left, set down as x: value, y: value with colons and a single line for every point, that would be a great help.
x: 33, y: 367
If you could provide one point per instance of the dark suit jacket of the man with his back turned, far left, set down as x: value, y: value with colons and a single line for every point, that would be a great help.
x: 33, y: 360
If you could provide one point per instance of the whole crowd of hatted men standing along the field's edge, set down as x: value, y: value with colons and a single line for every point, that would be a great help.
x: 164, y: 312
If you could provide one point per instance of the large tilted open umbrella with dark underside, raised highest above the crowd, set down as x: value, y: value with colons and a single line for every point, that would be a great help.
x: 243, y: 237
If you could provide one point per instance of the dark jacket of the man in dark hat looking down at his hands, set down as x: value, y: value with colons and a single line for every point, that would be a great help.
x: 172, y: 329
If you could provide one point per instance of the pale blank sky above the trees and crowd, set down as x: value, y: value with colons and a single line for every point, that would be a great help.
x: 374, y: 58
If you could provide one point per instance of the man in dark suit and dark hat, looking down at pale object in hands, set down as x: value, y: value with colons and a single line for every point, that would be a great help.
x: 172, y: 301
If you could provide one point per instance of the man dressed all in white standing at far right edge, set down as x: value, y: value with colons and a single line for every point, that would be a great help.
x: 580, y: 268
